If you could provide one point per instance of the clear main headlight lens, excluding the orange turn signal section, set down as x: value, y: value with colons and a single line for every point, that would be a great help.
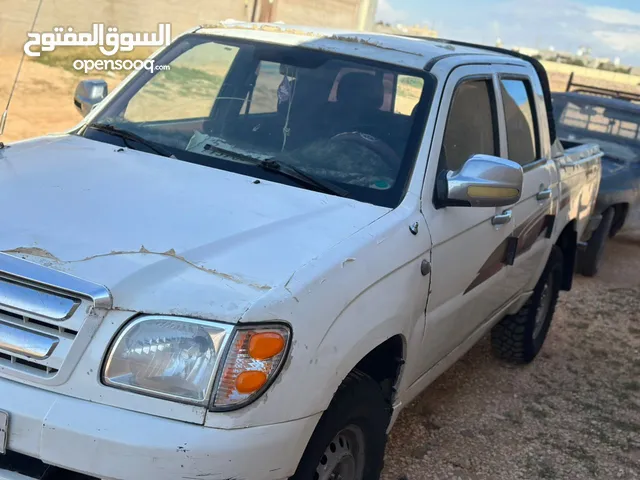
x: 167, y: 357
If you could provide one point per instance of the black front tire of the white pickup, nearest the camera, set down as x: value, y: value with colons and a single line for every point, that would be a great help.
x: 360, y: 403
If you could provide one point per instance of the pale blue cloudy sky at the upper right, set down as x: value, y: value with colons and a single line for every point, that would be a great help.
x: 611, y: 28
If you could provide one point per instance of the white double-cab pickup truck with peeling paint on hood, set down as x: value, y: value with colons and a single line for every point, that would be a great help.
x: 245, y: 266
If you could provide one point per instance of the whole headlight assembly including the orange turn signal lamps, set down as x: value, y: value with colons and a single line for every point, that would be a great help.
x: 179, y: 359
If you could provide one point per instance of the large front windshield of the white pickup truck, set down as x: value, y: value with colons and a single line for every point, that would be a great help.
x: 230, y: 104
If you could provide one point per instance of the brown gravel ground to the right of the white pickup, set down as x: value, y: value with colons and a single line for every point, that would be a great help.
x: 572, y: 414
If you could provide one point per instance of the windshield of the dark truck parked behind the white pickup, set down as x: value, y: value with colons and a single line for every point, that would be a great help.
x: 616, y: 130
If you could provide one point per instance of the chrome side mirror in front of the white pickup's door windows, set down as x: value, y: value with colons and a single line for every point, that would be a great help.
x: 483, y: 181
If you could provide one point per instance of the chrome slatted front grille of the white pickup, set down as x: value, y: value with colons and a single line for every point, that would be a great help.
x: 46, y: 319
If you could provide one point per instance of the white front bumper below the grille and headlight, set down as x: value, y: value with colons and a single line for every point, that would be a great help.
x: 113, y: 443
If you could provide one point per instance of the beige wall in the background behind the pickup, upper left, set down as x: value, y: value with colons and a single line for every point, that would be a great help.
x: 144, y: 15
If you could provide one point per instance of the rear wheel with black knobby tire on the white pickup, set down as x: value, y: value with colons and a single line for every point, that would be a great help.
x: 518, y: 338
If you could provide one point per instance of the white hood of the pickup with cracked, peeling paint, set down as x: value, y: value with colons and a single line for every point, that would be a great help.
x: 164, y: 236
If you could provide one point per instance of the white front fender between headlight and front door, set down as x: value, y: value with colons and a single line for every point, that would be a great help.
x: 341, y: 306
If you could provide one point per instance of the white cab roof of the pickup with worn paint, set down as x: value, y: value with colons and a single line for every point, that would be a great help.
x: 405, y: 51
